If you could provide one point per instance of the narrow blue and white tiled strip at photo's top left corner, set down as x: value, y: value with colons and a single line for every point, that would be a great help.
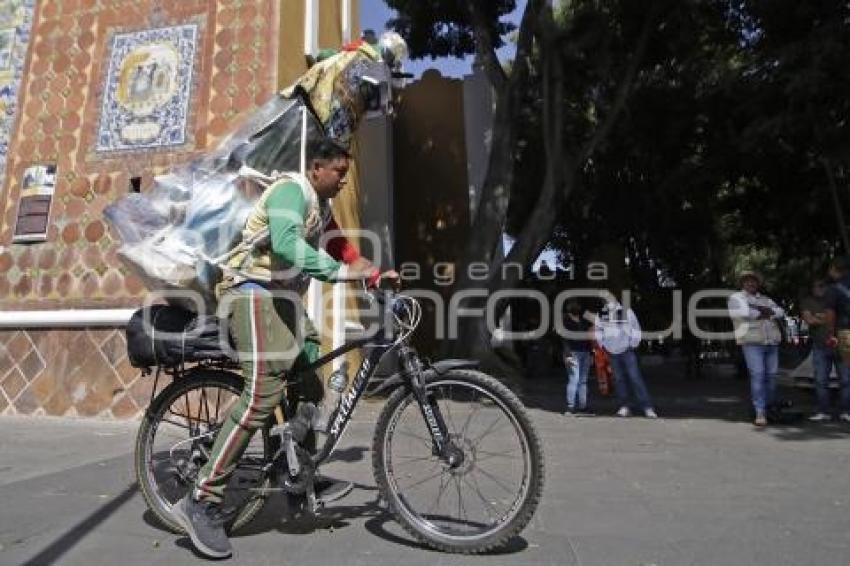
x: 15, y: 27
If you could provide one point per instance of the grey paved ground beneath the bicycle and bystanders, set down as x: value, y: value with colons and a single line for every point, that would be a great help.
x: 699, y: 486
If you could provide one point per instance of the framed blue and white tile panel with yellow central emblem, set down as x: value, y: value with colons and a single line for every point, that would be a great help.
x: 148, y: 89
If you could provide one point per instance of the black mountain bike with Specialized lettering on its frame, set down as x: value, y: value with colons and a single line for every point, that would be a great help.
x: 444, y: 425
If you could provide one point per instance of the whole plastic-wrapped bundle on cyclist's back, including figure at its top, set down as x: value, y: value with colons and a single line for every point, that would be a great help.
x: 175, y: 236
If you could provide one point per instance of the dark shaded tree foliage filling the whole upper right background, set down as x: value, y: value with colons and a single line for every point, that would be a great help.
x: 698, y: 136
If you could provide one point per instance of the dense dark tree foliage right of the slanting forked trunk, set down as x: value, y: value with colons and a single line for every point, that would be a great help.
x: 730, y: 152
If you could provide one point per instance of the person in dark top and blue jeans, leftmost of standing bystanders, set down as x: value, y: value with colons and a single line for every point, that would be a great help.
x: 577, y: 354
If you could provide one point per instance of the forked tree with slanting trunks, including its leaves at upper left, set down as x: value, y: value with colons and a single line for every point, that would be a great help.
x: 601, y: 41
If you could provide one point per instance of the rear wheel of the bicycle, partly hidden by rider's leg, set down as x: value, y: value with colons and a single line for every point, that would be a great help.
x: 175, y: 439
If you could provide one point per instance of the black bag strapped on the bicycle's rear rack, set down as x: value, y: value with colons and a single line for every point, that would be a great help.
x: 164, y: 335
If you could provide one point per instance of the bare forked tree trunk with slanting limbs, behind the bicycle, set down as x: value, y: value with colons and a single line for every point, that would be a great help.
x: 561, y: 171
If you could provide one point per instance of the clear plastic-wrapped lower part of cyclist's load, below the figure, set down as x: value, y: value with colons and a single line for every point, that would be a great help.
x: 195, y: 214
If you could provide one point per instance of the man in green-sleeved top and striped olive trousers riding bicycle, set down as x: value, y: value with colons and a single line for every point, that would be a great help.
x: 262, y: 287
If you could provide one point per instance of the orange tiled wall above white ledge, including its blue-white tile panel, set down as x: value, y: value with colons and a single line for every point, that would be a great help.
x: 224, y: 69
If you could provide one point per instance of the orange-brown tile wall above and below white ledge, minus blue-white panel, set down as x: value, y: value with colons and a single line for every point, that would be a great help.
x: 84, y: 372
